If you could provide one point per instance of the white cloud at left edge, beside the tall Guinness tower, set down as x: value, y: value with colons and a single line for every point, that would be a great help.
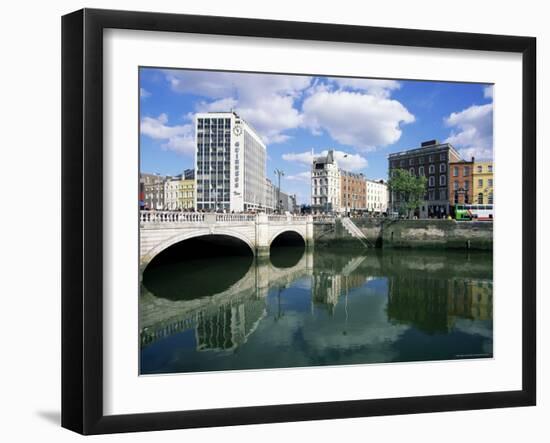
x: 179, y: 138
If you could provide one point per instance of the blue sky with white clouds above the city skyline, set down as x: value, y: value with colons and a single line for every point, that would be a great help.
x: 364, y: 118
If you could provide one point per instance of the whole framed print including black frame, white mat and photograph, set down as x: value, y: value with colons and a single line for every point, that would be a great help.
x: 270, y: 221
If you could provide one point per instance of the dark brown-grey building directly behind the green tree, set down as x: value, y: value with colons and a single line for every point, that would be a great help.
x: 432, y: 161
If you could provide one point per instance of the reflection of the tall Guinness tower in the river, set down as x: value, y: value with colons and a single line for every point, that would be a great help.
x: 229, y: 327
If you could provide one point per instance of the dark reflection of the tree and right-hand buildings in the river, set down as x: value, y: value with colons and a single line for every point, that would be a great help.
x: 433, y: 305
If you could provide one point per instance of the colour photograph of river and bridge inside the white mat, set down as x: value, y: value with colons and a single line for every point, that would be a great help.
x: 303, y: 220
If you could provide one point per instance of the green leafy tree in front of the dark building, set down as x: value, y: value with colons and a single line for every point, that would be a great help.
x: 409, y: 188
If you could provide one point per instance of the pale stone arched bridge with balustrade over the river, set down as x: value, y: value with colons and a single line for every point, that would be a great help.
x: 161, y: 229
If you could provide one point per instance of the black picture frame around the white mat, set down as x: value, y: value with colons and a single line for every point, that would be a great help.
x: 82, y: 218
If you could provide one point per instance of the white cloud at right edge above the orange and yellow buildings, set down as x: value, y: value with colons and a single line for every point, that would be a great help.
x: 472, y: 131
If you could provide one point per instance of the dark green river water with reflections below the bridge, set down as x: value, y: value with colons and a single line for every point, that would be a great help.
x: 322, y: 307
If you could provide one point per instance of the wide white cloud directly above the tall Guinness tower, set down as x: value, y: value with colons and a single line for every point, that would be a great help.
x: 265, y: 101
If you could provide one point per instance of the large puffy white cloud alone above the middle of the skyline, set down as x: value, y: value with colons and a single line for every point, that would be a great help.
x: 365, y: 121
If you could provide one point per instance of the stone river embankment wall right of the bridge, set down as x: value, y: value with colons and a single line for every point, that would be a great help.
x: 428, y: 234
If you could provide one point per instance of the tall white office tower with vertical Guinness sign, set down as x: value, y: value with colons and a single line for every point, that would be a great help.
x: 230, y: 164
